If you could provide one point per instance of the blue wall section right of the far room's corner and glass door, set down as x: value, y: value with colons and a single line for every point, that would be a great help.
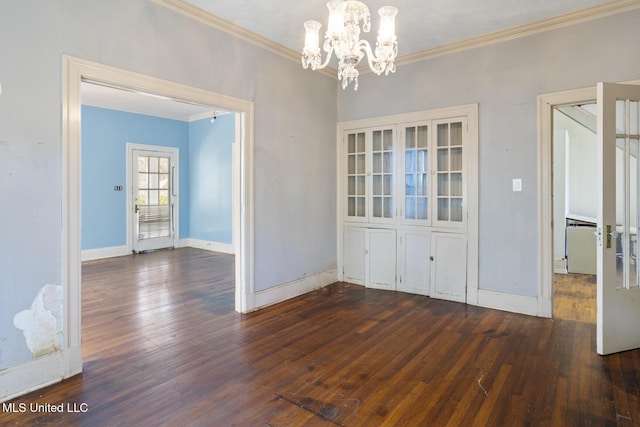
x: 210, y: 178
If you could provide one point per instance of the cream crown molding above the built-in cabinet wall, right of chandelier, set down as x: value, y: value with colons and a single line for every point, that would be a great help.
x: 584, y: 15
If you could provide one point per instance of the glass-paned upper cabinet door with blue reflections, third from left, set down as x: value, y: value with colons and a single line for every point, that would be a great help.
x: 416, y: 173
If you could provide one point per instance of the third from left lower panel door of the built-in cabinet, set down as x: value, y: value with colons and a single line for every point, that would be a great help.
x: 413, y: 262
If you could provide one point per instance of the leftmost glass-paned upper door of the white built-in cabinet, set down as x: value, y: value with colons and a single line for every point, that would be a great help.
x: 356, y: 175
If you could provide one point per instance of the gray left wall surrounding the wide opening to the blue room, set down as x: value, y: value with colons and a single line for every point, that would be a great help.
x: 295, y: 116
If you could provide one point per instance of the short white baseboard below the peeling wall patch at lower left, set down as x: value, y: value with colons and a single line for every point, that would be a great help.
x: 39, y: 373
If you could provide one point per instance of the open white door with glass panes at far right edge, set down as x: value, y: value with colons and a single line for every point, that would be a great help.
x: 618, y: 293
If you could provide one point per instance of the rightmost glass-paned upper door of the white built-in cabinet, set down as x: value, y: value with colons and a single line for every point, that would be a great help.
x: 449, y: 176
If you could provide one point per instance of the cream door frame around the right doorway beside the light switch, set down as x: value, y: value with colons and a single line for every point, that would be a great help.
x: 546, y: 104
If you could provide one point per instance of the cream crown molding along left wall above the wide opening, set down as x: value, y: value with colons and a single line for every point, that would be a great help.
x: 218, y: 23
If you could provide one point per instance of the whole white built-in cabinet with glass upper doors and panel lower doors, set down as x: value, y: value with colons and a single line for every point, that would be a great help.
x: 404, y: 201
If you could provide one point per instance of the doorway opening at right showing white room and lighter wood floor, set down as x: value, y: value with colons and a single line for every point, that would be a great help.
x: 575, y: 211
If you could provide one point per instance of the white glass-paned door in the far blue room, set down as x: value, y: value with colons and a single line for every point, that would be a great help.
x: 154, y: 199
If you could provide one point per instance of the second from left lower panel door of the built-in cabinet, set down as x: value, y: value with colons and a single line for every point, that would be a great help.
x: 381, y: 259
